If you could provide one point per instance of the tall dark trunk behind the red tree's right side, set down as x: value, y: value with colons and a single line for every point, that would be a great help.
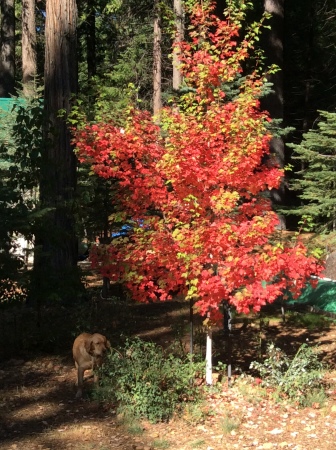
x: 274, y: 102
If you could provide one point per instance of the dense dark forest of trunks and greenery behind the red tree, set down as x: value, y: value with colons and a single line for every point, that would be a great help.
x: 63, y: 62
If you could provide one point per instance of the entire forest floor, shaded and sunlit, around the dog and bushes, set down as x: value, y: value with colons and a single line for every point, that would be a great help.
x: 38, y: 409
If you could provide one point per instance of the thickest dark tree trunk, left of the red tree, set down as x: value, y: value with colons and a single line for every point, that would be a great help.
x: 57, y: 239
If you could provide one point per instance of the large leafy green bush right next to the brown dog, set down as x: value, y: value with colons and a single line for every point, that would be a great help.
x: 146, y: 381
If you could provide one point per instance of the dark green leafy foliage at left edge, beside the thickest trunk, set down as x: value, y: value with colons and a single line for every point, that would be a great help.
x: 20, y: 156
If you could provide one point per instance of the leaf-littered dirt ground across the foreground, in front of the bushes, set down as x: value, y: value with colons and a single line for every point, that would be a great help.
x: 39, y: 411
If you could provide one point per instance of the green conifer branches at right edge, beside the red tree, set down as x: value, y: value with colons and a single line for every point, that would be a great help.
x: 316, y: 181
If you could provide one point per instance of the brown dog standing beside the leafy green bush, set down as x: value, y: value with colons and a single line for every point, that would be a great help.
x: 88, y: 351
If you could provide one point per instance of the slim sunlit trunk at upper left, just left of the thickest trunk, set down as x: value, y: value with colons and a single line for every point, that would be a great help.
x: 28, y: 47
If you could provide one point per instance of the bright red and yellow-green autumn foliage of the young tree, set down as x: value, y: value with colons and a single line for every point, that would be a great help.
x: 193, y: 188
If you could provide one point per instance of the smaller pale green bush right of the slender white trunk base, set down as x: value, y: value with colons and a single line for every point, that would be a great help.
x: 297, y: 378
